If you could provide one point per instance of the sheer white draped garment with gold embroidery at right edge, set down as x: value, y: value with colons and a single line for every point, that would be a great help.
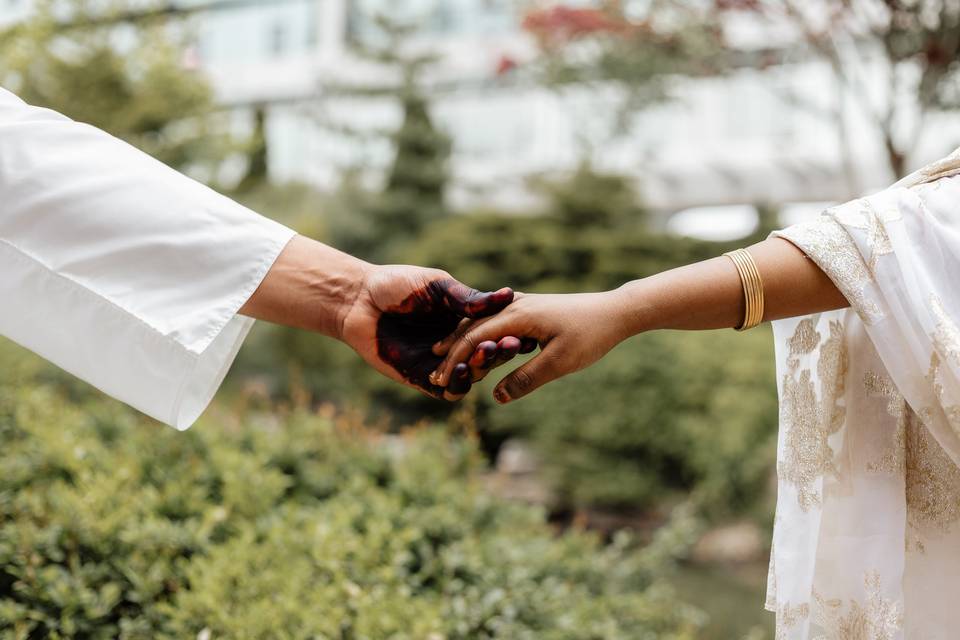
x: 867, y: 534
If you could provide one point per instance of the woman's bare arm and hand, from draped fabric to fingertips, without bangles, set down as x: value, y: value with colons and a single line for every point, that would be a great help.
x: 574, y: 331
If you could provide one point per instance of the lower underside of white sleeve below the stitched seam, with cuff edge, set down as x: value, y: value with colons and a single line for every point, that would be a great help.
x: 114, y: 350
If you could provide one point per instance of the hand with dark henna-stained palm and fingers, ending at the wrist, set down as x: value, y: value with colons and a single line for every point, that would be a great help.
x: 401, y: 312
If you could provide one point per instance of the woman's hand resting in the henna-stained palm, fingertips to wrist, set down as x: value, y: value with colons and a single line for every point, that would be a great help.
x: 573, y: 332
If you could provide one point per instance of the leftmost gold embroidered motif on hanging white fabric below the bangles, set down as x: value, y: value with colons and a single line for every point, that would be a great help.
x: 809, y: 423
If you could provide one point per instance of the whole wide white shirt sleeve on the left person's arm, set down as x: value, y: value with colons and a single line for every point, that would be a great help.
x: 120, y: 270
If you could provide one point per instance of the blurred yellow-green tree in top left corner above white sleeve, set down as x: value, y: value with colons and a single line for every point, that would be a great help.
x: 137, y: 88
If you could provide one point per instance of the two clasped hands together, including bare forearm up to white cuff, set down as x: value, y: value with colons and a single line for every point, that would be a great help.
x: 423, y: 328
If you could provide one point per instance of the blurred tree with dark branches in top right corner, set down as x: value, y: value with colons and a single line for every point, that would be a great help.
x: 913, y: 44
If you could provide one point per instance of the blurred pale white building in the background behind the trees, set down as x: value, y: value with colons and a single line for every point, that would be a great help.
x: 755, y: 134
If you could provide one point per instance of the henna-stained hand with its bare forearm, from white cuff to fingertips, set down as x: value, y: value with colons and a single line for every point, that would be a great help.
x: 392, y: 316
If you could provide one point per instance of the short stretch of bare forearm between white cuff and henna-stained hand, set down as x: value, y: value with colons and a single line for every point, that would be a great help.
x: 310, y: 286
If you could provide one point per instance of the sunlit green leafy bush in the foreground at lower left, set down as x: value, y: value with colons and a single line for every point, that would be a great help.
x: 291, y: 524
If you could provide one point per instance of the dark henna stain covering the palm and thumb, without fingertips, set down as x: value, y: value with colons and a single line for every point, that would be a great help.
x: 407, y: 332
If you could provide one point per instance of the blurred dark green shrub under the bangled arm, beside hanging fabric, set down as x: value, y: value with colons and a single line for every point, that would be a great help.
x: 663, y: 415
